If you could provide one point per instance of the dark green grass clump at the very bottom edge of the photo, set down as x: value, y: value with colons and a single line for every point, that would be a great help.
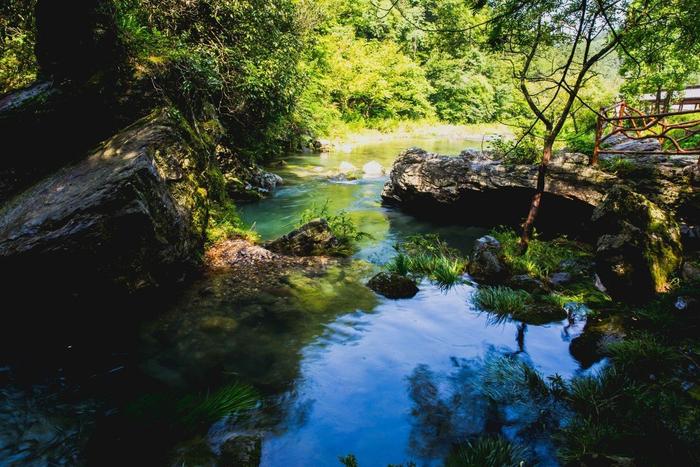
x: 487, y: 452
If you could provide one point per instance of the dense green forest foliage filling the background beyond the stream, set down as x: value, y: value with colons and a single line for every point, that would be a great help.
x: 283, y: 73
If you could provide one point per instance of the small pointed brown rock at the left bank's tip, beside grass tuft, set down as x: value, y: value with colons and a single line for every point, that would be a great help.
x: 312, y: 239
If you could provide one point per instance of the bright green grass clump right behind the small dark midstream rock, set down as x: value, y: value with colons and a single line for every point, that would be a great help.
x: 428, y: 256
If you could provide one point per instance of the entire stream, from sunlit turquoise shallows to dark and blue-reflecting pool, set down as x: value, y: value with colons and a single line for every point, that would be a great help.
x: 338, y: 369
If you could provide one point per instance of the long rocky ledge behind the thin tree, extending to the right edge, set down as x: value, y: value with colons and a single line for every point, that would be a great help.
x: 488, y: 191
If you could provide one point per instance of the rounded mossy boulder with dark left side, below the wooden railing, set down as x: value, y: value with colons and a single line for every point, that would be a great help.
x: 638, y: 245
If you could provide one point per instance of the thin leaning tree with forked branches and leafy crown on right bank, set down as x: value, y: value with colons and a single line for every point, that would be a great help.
x: 554, y: 47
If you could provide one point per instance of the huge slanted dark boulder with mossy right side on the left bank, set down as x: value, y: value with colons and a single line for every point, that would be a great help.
x: 129, y: 216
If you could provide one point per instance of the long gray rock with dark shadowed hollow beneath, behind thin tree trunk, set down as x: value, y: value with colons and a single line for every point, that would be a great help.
x: 490, y: 192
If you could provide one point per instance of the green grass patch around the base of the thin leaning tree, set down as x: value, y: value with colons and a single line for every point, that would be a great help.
x: 541, y: 258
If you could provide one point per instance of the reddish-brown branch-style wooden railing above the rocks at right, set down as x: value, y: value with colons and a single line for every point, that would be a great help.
x: 672, y: 133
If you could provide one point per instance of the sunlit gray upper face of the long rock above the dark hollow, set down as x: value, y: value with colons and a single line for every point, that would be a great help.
x: 417, y: 174
